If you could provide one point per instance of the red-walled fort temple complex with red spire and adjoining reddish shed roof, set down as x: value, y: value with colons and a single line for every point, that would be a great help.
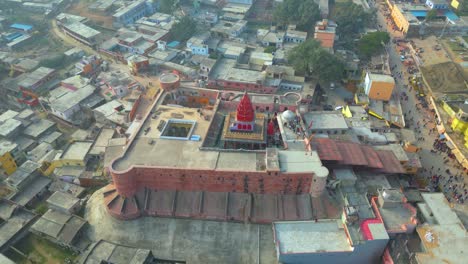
x: 231, y: 158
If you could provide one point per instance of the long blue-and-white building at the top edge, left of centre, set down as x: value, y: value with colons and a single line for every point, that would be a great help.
x: 131, y: 13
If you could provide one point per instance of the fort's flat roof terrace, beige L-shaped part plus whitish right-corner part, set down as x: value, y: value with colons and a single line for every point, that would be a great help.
x: 150, y: 149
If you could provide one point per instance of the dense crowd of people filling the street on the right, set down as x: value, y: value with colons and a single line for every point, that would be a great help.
x: 447, y: 175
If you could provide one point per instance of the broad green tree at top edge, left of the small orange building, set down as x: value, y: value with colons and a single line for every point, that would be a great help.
x: 303, y: 13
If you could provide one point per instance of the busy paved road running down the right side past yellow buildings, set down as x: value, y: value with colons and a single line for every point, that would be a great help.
x: 421, y: 121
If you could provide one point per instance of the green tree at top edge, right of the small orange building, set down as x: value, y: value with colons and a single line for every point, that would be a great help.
x: 351, y: 19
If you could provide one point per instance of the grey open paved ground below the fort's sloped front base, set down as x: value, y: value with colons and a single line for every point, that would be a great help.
x: 195, y: 241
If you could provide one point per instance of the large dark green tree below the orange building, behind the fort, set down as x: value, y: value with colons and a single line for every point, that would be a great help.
x: 311, y: 59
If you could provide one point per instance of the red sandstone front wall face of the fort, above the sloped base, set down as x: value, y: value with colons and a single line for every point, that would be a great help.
x: 128, y: 183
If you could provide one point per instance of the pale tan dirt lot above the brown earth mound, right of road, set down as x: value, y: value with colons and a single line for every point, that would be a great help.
x: 430, y: 56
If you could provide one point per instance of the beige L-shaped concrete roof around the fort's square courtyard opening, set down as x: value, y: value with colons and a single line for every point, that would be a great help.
x: 181, y: 153
